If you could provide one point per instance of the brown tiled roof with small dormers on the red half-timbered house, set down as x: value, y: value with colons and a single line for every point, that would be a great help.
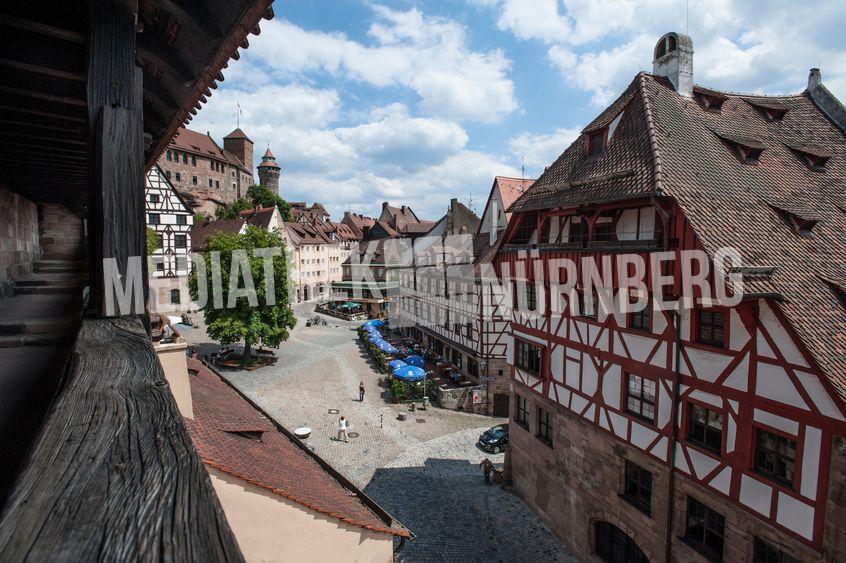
x: 665, y: 145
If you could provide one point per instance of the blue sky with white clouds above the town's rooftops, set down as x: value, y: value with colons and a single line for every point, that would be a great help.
x: 415, y: 102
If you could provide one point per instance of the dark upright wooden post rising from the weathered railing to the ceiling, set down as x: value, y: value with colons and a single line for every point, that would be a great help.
x: 116, y: 219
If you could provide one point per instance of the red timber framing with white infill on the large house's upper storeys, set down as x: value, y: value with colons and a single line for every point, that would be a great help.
x: 761, y: 378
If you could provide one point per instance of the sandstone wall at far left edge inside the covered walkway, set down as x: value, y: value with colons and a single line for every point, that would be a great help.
x: 19, y: 244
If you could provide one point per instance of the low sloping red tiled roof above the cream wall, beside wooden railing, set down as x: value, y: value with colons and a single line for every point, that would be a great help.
x: 225, y: 431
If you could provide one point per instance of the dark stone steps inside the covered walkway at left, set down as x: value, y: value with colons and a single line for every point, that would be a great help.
x: 46, y: 306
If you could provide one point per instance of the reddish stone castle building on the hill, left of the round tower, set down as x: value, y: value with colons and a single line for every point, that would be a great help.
x: 206, y: 175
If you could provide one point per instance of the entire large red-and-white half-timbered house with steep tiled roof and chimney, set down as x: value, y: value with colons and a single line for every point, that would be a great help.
x: 707, y: 432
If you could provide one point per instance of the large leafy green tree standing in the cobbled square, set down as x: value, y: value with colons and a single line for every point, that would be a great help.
x: 252, y: 323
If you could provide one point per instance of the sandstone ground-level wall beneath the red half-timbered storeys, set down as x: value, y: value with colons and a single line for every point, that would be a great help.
x: 580, y: 478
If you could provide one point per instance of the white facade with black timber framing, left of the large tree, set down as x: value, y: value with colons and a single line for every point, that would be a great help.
x: 169, y: 215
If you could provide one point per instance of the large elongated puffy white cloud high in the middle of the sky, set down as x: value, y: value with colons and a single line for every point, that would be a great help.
x: 429, y: 55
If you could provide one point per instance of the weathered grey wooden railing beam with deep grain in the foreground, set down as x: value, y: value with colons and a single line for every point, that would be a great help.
x: 113, y: 474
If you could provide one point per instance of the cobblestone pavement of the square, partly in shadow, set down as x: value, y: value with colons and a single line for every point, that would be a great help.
x: 424, y: 470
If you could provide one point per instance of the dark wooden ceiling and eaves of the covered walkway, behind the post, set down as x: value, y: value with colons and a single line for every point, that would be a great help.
x: 181, y: 46
